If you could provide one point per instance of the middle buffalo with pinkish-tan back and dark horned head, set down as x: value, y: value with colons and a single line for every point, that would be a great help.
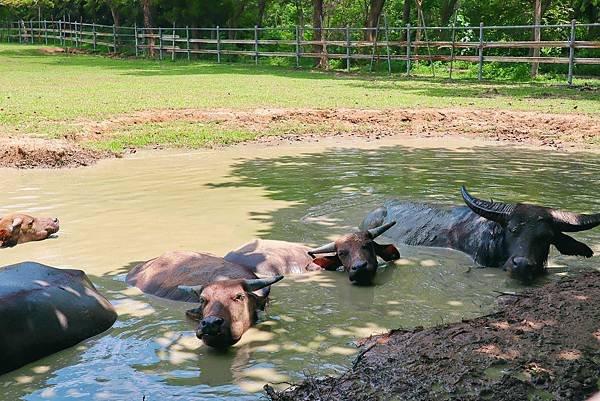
x: 356, y: 252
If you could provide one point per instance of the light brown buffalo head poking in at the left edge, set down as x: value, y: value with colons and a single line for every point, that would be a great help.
x: 18, y: 228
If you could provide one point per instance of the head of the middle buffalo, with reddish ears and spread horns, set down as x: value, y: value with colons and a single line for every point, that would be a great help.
x: 357, y: 252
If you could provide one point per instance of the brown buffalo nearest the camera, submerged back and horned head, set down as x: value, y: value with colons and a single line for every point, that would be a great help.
x: 230, y: 295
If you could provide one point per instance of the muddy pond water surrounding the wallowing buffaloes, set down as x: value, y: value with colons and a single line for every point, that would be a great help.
x: 123, y: 211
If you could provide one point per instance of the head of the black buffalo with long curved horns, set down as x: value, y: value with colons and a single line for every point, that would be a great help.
x: 529, y: 231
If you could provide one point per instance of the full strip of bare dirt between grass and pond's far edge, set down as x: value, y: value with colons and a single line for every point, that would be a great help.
x: 562, y: 131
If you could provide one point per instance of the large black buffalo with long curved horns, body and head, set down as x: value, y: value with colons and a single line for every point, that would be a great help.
x: 516, y: 237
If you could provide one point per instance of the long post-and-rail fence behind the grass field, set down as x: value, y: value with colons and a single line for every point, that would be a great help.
x: 474, y: 44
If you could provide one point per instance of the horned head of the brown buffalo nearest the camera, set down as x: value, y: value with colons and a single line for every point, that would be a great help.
x: 228, y: 308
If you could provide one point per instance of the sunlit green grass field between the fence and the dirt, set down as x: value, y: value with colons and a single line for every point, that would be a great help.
x: 52, y: 95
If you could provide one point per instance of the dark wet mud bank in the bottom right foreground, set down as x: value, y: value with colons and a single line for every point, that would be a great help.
x: 544, y: 345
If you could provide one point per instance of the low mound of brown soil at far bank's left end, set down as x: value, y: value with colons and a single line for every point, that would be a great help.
x: 39, y: 153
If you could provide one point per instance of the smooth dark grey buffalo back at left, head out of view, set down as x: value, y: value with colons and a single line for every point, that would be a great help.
x: 44, y: 310
